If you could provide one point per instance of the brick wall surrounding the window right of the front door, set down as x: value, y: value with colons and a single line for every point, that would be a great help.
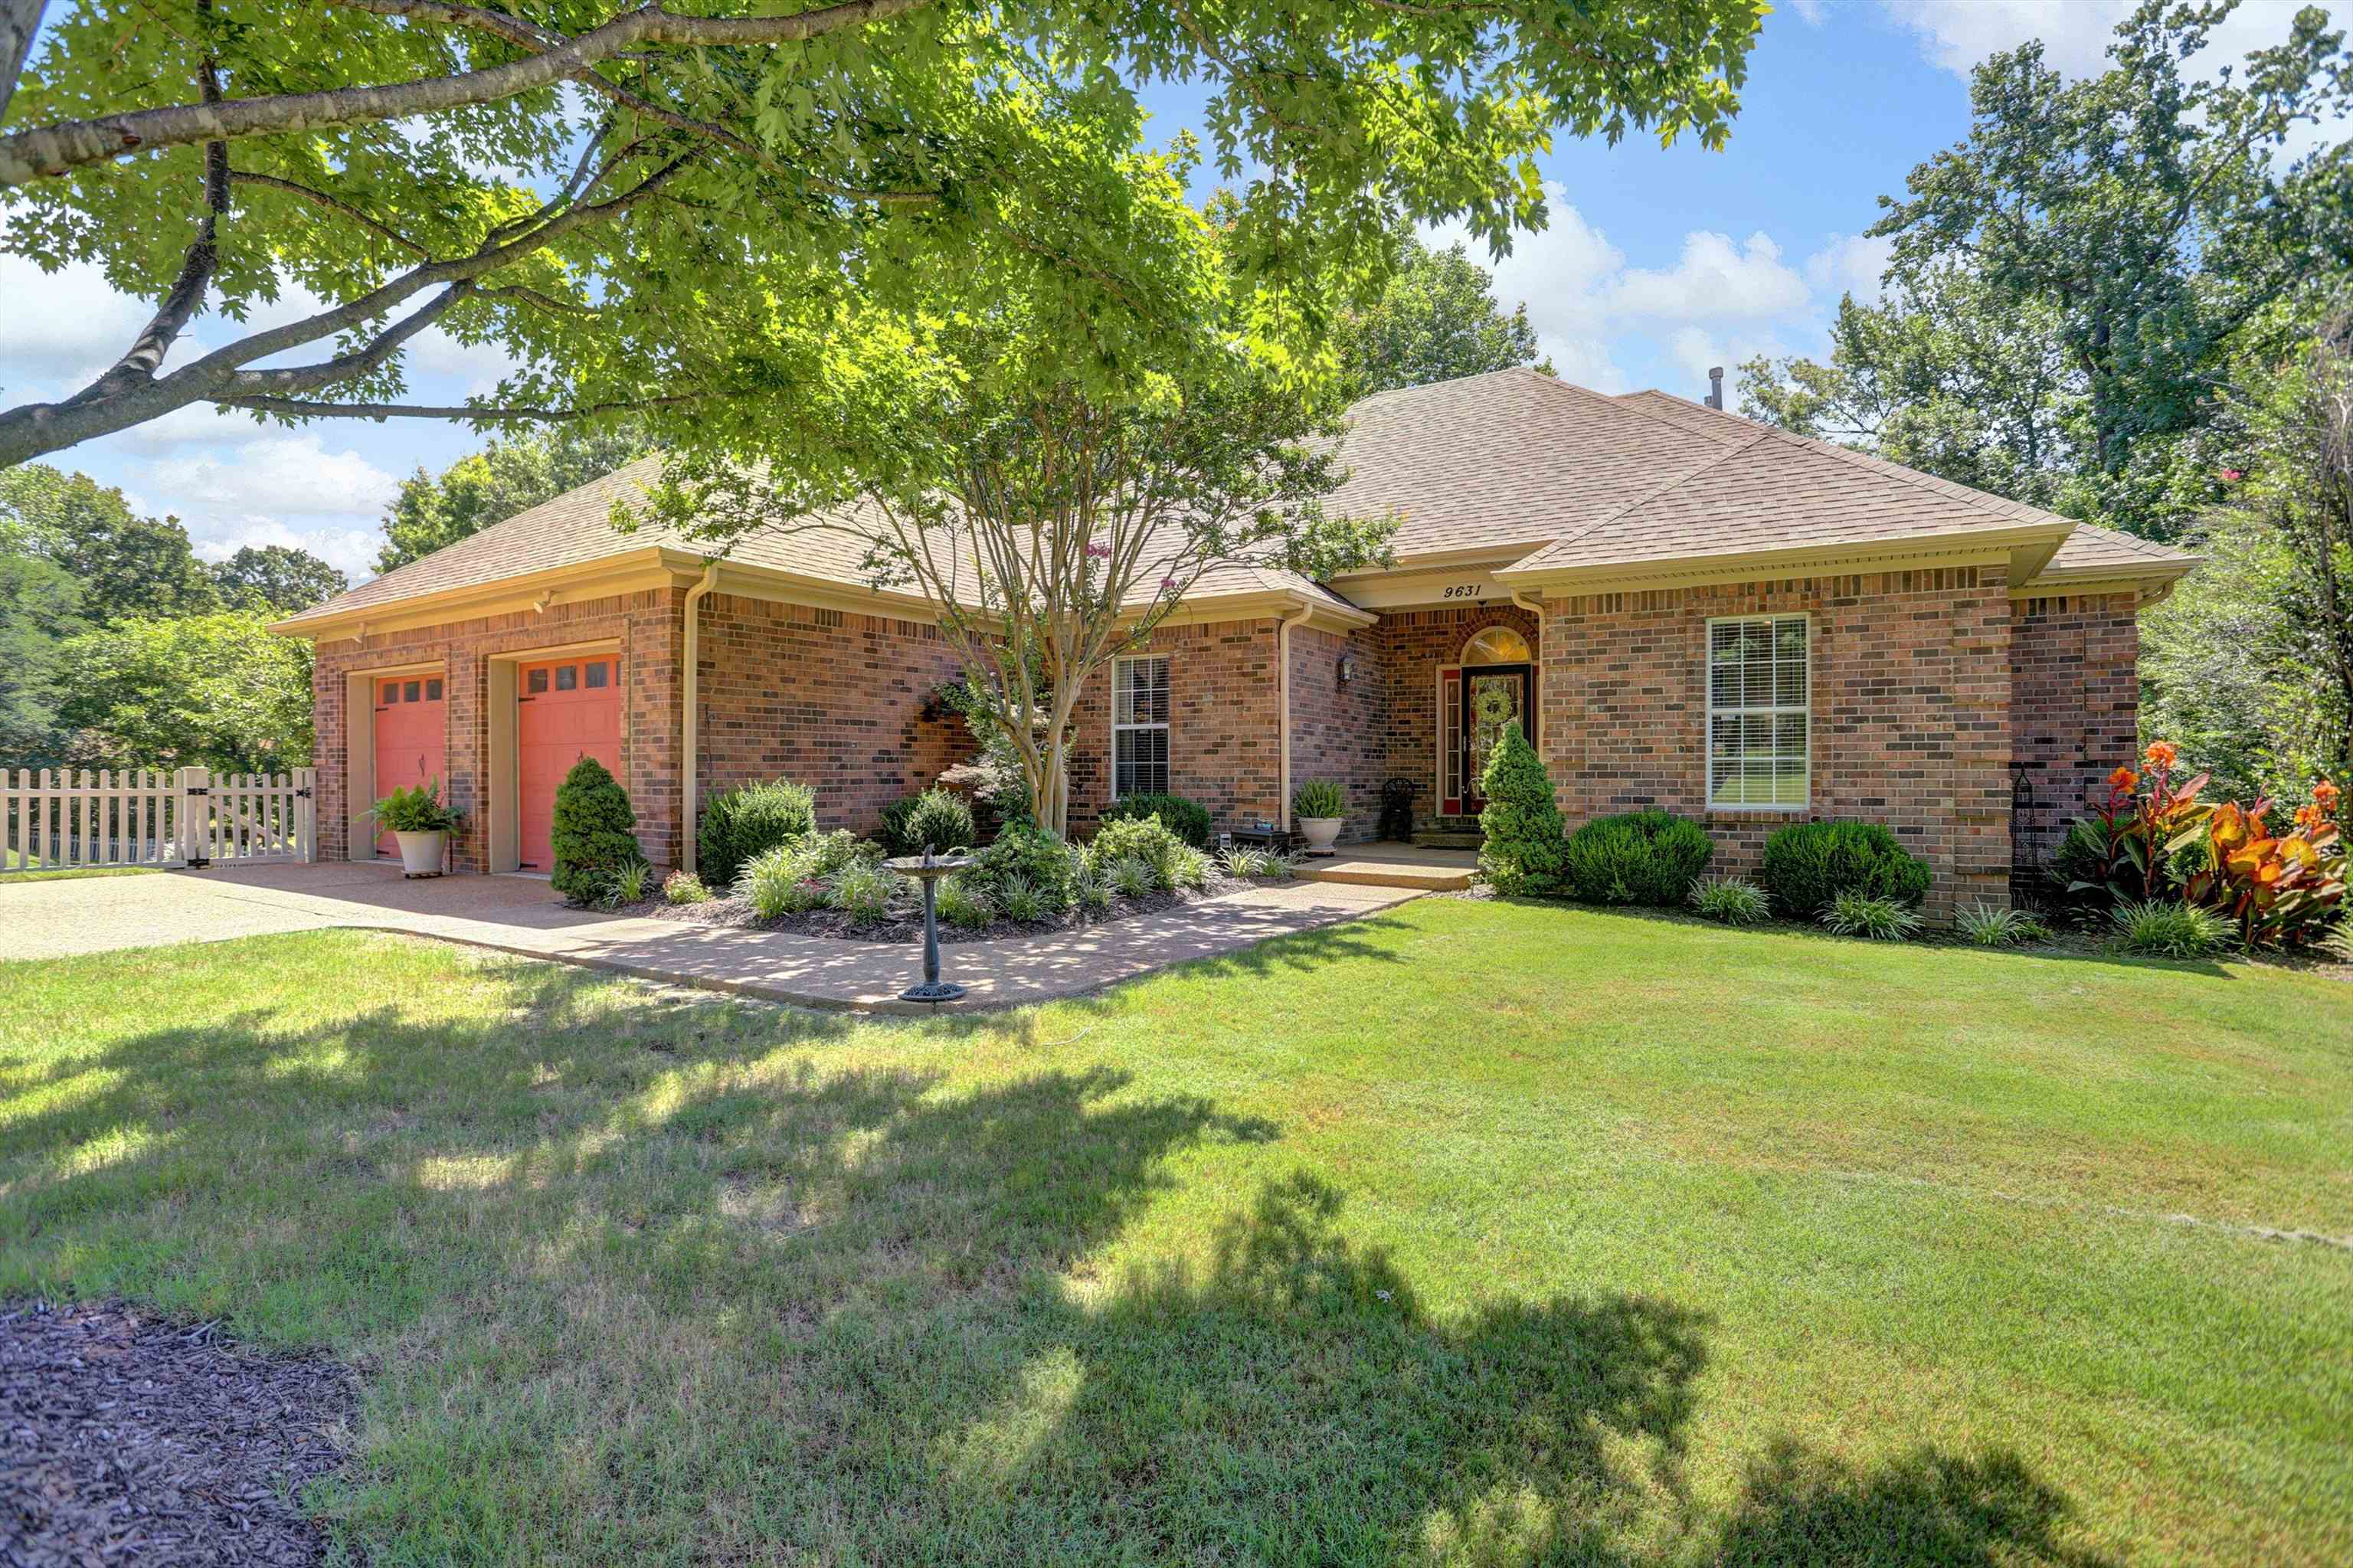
x: 1909, y: 715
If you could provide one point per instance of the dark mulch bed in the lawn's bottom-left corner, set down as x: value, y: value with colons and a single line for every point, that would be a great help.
x: 131, y: 1440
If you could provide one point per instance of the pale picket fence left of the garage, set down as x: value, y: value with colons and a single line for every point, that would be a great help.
x: 147, y: 818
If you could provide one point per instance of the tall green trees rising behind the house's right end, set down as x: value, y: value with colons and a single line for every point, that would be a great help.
x: 2124, y: 300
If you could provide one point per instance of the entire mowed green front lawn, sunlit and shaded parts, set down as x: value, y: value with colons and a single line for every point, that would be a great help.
x: 1467, y: 1235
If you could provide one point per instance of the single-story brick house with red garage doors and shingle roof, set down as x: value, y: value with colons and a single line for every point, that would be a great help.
x: 1693, y: 611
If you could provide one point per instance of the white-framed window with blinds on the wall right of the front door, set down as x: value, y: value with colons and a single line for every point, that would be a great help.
x: 1761, y: 733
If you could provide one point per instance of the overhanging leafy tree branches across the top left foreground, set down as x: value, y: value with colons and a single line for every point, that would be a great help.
x: 328, y: 185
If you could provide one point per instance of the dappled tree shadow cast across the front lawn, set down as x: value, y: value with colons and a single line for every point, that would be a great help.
x: 625, y: 1298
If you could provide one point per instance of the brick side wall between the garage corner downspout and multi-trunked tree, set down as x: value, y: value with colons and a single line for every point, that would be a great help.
x: 825, y: 698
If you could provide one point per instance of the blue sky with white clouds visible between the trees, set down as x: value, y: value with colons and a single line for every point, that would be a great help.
x: 1655, y: 265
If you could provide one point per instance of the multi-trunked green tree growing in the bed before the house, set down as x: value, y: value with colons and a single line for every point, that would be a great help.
x: 1051, y: 507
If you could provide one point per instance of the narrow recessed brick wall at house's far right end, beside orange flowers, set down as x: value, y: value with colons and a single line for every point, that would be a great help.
x: 2077, y: 707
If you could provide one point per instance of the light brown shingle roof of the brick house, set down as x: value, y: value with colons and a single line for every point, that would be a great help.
x: 1512, y: 463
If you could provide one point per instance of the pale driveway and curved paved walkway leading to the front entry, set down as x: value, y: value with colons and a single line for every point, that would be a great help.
x: 524, y: 917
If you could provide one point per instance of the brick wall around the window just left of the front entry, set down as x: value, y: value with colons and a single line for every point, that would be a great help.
x: 1225, y: 726
